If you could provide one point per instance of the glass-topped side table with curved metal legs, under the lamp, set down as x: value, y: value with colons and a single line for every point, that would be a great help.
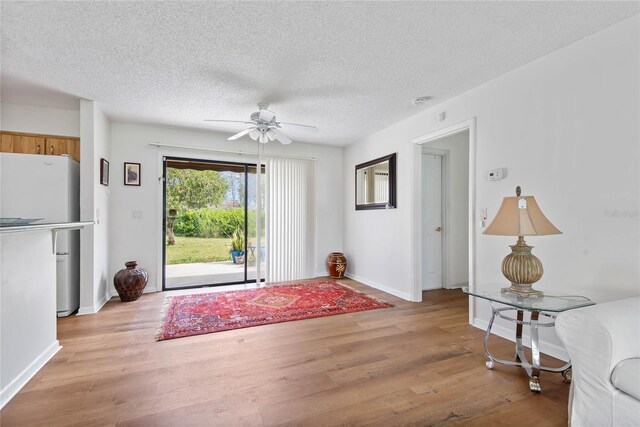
x: 538, y: 306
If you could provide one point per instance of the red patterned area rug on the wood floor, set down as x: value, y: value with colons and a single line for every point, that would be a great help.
x: 186, y: 315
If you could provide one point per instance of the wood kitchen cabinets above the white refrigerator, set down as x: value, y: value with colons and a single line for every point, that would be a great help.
x: 23, y: 143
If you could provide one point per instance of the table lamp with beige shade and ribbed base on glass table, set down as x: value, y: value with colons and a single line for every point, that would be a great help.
x: 521, y: 216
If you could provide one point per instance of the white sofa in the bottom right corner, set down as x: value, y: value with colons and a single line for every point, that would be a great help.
x: 603, y: 342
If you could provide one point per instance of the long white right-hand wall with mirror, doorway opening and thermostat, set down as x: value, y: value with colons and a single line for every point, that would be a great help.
x: 566, y: 128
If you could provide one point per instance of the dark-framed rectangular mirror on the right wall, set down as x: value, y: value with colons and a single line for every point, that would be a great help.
x: 376, y: 183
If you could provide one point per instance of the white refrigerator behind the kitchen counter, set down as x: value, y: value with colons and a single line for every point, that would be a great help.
x: 47, y: 187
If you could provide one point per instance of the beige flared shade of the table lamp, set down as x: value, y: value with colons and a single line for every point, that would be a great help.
x: 520, y: 216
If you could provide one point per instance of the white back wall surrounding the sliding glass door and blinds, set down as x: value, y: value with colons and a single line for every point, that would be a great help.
x: 140, y: 239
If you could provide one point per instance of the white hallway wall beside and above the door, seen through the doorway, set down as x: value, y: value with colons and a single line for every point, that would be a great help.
x: 457, y: 231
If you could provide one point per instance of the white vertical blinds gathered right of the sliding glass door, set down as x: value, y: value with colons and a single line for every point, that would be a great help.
x: 290, y: 219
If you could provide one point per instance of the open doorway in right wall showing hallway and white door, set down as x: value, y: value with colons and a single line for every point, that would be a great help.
x: 445, y: 212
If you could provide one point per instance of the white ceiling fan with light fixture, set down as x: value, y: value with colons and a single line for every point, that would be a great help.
x: 264, y: 127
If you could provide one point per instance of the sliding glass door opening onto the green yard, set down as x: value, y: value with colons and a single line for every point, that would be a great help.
x: 209, y: 224
